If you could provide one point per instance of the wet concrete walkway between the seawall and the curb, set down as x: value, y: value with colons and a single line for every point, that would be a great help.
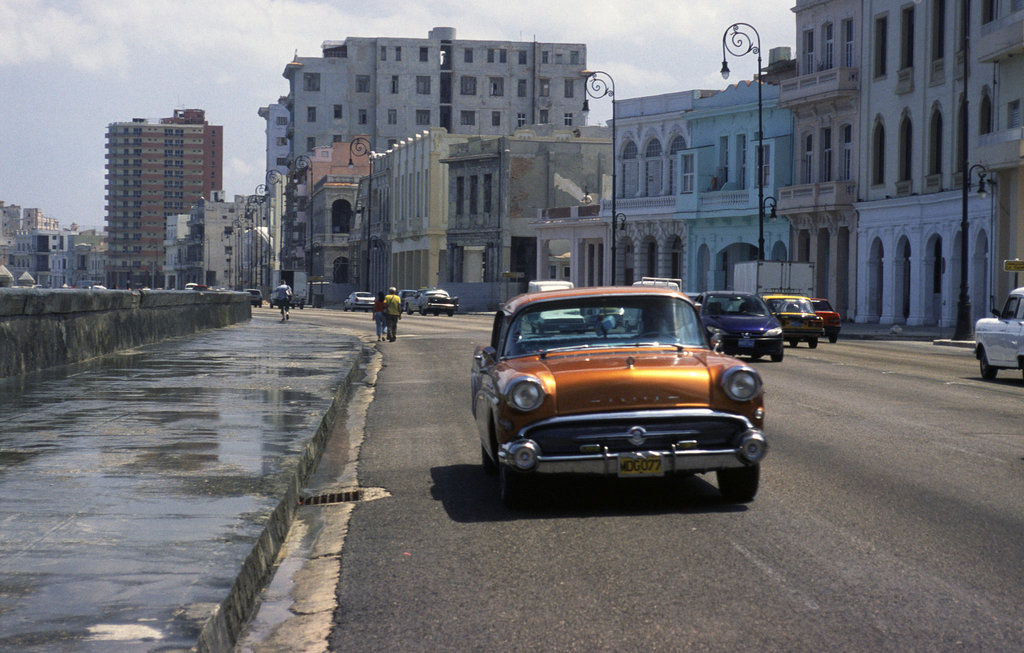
x: 136, y: 487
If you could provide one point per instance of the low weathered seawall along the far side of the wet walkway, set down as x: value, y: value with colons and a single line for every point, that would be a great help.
x: 44, y: 328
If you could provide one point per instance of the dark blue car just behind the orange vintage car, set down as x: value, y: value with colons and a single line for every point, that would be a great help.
x: 742, y: 324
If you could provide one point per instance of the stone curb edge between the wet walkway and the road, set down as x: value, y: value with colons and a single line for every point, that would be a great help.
x: 222, y: 631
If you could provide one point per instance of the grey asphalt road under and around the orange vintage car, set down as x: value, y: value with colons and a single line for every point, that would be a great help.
x: 889, y: 518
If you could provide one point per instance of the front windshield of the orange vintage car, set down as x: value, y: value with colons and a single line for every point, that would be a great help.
x: 604, y: 322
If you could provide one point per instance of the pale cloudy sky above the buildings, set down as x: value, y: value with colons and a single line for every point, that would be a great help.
x: 71, y: 68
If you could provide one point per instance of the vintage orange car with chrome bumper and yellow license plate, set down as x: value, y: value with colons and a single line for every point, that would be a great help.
x: 638, y: 393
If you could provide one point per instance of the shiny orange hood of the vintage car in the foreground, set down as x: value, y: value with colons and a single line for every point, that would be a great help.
x: 627, y: 380
